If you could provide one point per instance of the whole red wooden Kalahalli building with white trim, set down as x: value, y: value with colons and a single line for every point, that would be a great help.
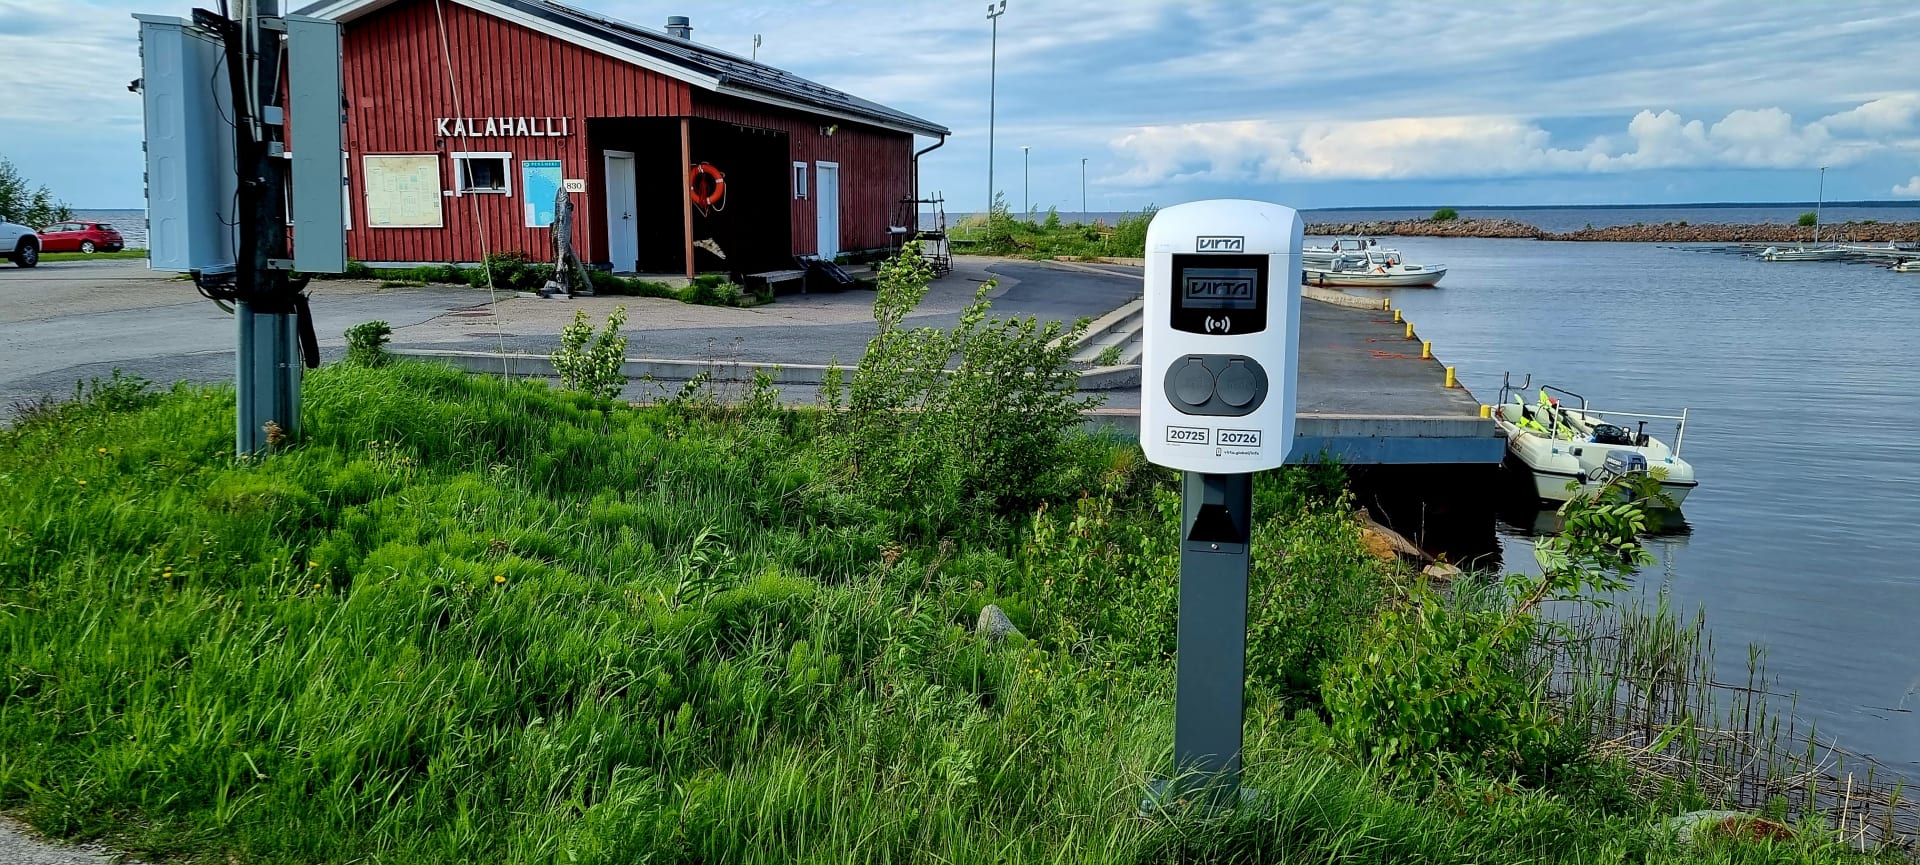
x: 468, y: 116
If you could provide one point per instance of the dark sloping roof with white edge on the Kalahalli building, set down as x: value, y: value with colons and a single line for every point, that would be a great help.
x: 729, y: 74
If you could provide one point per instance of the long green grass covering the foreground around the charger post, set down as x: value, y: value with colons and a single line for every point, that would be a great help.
x: 469, y: 620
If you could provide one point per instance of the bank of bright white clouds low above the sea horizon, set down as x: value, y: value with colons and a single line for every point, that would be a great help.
x: 1499, y: 147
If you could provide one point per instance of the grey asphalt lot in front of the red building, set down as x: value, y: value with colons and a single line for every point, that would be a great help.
x: 72, y: 321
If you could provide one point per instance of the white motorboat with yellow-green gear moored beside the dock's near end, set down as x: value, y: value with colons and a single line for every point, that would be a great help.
x: 1579, y: 450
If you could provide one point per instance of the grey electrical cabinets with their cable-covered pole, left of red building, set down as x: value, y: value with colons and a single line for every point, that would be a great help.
x: 218, y: 187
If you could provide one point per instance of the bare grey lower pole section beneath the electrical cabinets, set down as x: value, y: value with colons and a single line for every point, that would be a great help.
x: 266, y: 377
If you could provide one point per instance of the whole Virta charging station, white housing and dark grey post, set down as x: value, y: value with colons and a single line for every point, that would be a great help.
x: 1218, y: 365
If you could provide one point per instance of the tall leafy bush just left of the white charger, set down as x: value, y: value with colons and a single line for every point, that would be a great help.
x: 965, y: 423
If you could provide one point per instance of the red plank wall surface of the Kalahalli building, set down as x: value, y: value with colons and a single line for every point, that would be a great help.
x: 398, y: 85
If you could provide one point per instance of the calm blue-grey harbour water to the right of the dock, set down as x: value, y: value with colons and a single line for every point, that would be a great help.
x: 1804, y: 383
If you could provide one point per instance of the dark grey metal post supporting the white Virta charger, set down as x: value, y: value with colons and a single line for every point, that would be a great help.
x: 1211, y: 665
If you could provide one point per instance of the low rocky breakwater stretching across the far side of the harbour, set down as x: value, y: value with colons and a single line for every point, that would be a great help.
x: 1669, y: 233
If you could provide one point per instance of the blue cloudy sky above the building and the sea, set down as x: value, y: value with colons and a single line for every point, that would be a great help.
x: 1316, y: 105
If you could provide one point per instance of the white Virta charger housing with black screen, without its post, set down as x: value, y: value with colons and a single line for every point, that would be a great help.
x: 1222, y: 337
